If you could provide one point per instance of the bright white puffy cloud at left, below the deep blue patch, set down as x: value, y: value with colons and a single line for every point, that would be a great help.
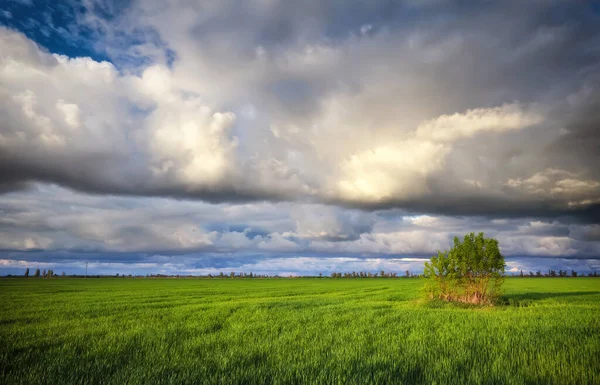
x: 80, y: 123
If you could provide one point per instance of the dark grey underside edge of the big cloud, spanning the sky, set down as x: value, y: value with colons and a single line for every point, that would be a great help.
x: 467, y: 206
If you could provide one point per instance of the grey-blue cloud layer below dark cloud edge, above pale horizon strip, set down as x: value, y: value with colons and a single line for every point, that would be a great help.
x: 56, y: 220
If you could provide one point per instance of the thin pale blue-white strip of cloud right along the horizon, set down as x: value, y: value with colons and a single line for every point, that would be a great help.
x: 292, y: 266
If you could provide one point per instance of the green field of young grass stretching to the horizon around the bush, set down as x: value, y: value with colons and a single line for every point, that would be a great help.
x: 292, y: 331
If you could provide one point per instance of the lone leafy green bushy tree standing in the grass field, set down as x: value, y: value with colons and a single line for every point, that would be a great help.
x: 472, y: 271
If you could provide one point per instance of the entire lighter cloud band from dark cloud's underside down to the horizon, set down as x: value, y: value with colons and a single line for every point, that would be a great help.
x: 51, y: 227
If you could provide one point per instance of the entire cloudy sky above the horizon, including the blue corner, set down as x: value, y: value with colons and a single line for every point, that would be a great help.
x: 296, y: 138
